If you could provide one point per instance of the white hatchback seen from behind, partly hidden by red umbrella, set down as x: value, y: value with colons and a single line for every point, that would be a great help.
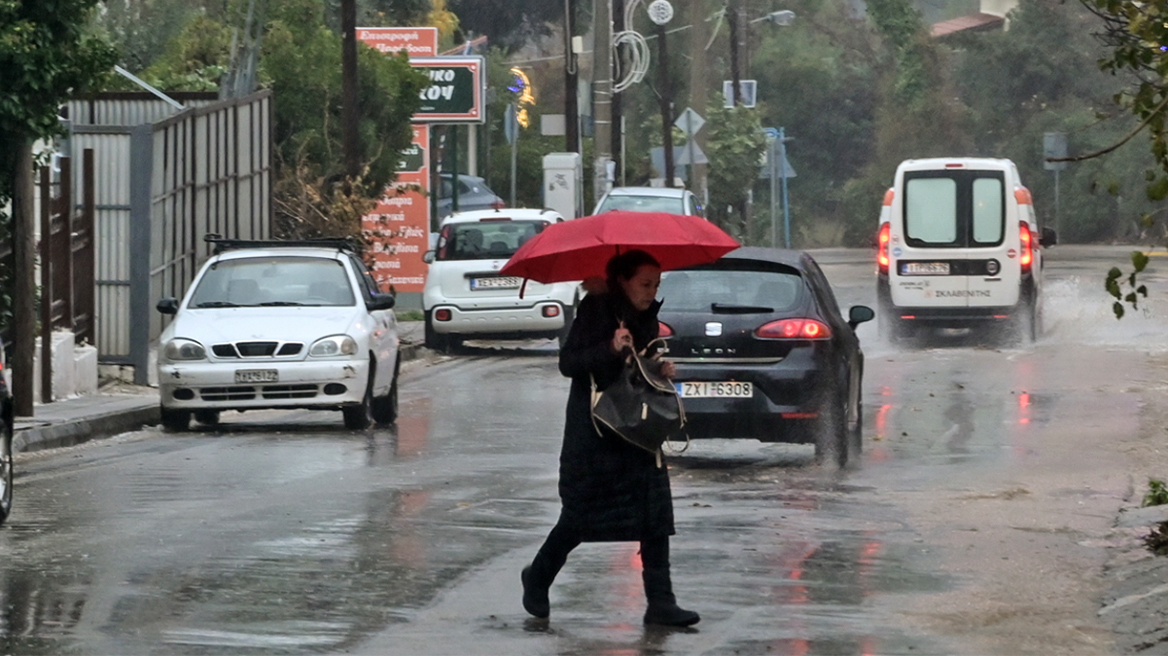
x: 465, y: 297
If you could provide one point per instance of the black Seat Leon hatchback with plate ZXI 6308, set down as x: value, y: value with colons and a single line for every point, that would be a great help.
x: 763, y: 352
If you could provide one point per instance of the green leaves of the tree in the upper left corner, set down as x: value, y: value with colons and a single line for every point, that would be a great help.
x: 47, y: 57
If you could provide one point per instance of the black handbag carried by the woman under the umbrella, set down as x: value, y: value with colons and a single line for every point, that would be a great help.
x: 642, y: 406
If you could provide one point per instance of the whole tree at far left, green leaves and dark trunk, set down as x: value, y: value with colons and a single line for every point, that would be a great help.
x: 47, y: 57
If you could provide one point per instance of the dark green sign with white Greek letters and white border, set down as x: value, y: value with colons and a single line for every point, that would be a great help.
x: 456, y: 93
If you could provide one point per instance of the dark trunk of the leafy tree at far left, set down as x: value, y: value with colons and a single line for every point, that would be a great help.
x: 25, y: 284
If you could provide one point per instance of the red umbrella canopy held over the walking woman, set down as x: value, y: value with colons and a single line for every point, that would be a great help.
x: 580, y: 249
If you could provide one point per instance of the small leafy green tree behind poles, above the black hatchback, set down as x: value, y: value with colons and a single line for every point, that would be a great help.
x: 734, y: 148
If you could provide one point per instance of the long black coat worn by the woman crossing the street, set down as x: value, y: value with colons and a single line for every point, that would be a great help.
x: 611, y: 490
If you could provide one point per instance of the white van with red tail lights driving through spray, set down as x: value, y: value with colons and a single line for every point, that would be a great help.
x: 960, y: 247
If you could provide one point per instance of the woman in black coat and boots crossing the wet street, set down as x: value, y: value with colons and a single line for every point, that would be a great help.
x: 611, y: 491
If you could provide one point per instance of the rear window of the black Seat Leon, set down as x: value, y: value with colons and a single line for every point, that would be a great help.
x: 714, y: 290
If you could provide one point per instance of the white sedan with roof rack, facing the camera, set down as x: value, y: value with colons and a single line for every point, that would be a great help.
x: 280, y: 325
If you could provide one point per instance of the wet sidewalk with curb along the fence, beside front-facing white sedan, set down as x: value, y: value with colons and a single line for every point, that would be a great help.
x: 121, y: 408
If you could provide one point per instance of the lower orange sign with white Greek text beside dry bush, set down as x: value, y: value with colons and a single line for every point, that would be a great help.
x: 399, y: 228
